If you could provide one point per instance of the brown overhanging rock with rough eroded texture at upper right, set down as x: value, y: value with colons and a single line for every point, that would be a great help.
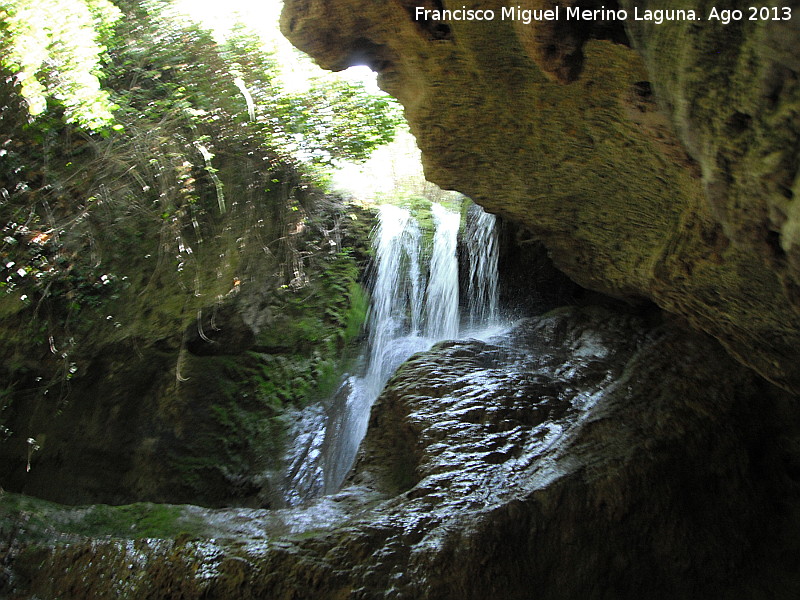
x: 652, y: 160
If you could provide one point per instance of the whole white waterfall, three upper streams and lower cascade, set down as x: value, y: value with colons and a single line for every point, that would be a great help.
x: 405, y: 317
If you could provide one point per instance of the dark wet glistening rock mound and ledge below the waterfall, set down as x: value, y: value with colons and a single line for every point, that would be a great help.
x: 589, y: 453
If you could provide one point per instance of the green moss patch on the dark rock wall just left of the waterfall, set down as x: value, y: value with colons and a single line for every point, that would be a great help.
x: 233, y: 404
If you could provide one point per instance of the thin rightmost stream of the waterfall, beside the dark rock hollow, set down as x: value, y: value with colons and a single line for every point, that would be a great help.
x: 483, y: 250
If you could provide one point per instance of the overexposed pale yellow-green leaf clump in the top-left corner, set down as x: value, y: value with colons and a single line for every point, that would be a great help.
x: 53, y: 47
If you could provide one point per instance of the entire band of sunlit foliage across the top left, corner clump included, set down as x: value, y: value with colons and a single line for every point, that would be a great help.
x: 159, y: 65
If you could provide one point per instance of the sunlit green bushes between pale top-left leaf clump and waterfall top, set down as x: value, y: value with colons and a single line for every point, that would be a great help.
x: 163, y: 66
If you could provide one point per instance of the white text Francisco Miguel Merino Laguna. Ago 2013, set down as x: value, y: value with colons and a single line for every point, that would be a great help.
x: 576, y: 13
